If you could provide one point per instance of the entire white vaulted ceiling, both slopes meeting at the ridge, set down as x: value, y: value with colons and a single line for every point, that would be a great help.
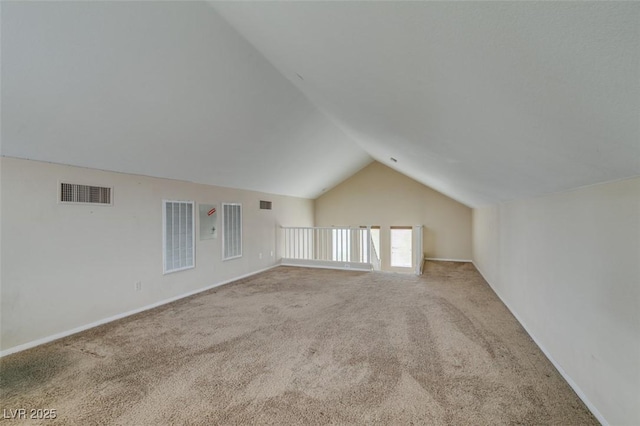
x: 483, y: 101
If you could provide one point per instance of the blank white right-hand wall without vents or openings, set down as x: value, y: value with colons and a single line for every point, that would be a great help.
x: 568, y: 266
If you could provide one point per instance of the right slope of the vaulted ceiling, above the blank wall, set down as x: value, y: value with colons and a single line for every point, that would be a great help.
x: 484, y: 101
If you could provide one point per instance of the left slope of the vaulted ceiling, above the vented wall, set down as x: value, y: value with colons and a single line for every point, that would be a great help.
x: 162, y: 89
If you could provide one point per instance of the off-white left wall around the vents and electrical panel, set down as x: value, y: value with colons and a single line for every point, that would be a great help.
x: 66, y: 266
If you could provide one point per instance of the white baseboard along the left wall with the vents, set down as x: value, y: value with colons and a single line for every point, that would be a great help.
x: 67, y: 333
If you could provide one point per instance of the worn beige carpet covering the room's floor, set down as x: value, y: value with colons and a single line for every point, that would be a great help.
x: 304, y: 346
